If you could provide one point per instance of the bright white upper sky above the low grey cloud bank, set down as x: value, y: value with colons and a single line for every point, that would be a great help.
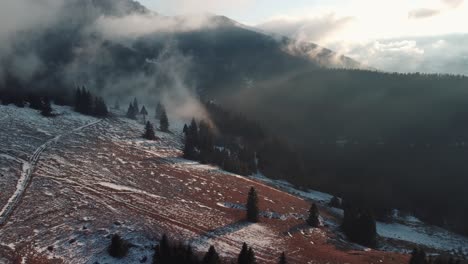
x: 366, y: 19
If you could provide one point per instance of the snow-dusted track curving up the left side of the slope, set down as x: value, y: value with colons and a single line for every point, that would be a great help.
x: 26, y: 174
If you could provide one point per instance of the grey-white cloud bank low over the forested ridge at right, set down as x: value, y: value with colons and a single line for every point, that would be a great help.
x: 441, y: 54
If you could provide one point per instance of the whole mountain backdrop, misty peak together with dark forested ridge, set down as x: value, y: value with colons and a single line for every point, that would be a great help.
x: 365, y: 135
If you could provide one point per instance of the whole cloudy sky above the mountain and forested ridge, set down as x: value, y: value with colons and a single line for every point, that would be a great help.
x: 392, y: 35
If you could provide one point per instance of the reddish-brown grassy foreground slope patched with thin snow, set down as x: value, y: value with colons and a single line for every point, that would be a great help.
x: 94, y: 179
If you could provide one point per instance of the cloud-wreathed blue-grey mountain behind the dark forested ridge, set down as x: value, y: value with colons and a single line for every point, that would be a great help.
x: 95, y: 42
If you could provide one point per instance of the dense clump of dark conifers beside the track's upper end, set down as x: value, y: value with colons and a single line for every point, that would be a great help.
x: 88, y: 104
